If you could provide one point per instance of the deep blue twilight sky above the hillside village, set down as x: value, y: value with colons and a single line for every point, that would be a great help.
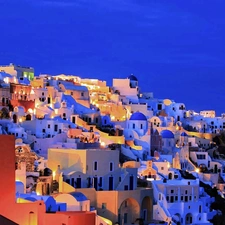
x: 175, y: 48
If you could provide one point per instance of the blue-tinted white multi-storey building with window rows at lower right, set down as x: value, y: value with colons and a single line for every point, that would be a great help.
x: 180, y: 202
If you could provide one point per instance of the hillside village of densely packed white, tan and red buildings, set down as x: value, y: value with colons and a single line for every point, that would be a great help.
x: 77, y: 151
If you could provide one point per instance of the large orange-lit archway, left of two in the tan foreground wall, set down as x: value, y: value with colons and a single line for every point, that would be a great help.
x: 129, y: 211
